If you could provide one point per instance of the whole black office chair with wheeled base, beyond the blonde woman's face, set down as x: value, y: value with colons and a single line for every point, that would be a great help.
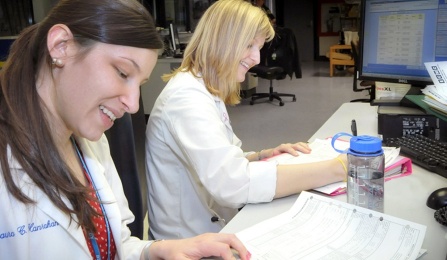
x: 279, y: 58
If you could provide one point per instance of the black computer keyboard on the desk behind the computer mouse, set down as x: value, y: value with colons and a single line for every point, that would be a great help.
x: 428, y: 153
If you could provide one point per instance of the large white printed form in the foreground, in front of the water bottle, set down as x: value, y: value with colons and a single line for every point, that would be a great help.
x: 318, y: 227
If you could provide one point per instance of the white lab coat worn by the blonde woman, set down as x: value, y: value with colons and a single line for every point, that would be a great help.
x: 196, y: 169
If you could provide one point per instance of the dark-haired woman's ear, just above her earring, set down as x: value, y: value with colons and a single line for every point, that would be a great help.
x: 58, y: 40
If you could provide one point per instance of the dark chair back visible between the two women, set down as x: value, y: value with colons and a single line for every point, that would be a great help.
x: 127, y: 140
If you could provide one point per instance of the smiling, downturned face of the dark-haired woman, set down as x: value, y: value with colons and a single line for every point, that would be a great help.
x: 92, y: 91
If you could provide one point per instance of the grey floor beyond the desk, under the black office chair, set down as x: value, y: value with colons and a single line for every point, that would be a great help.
x: 266, y: 124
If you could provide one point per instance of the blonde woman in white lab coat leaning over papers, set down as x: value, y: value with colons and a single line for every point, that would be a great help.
x: 197, y: 173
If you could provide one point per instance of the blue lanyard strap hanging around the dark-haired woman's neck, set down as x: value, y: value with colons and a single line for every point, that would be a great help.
x: 91, y: 235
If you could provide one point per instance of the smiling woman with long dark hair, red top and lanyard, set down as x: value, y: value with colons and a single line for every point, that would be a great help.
x: 66, y: 80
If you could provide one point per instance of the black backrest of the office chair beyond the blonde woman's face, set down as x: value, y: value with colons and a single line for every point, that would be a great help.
x: 282, y: 52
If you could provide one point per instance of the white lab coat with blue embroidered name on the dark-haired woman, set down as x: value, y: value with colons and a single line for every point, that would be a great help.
x: 42, y: 231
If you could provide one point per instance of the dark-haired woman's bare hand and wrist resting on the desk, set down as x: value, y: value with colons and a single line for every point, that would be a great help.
x: 206, y: 245
